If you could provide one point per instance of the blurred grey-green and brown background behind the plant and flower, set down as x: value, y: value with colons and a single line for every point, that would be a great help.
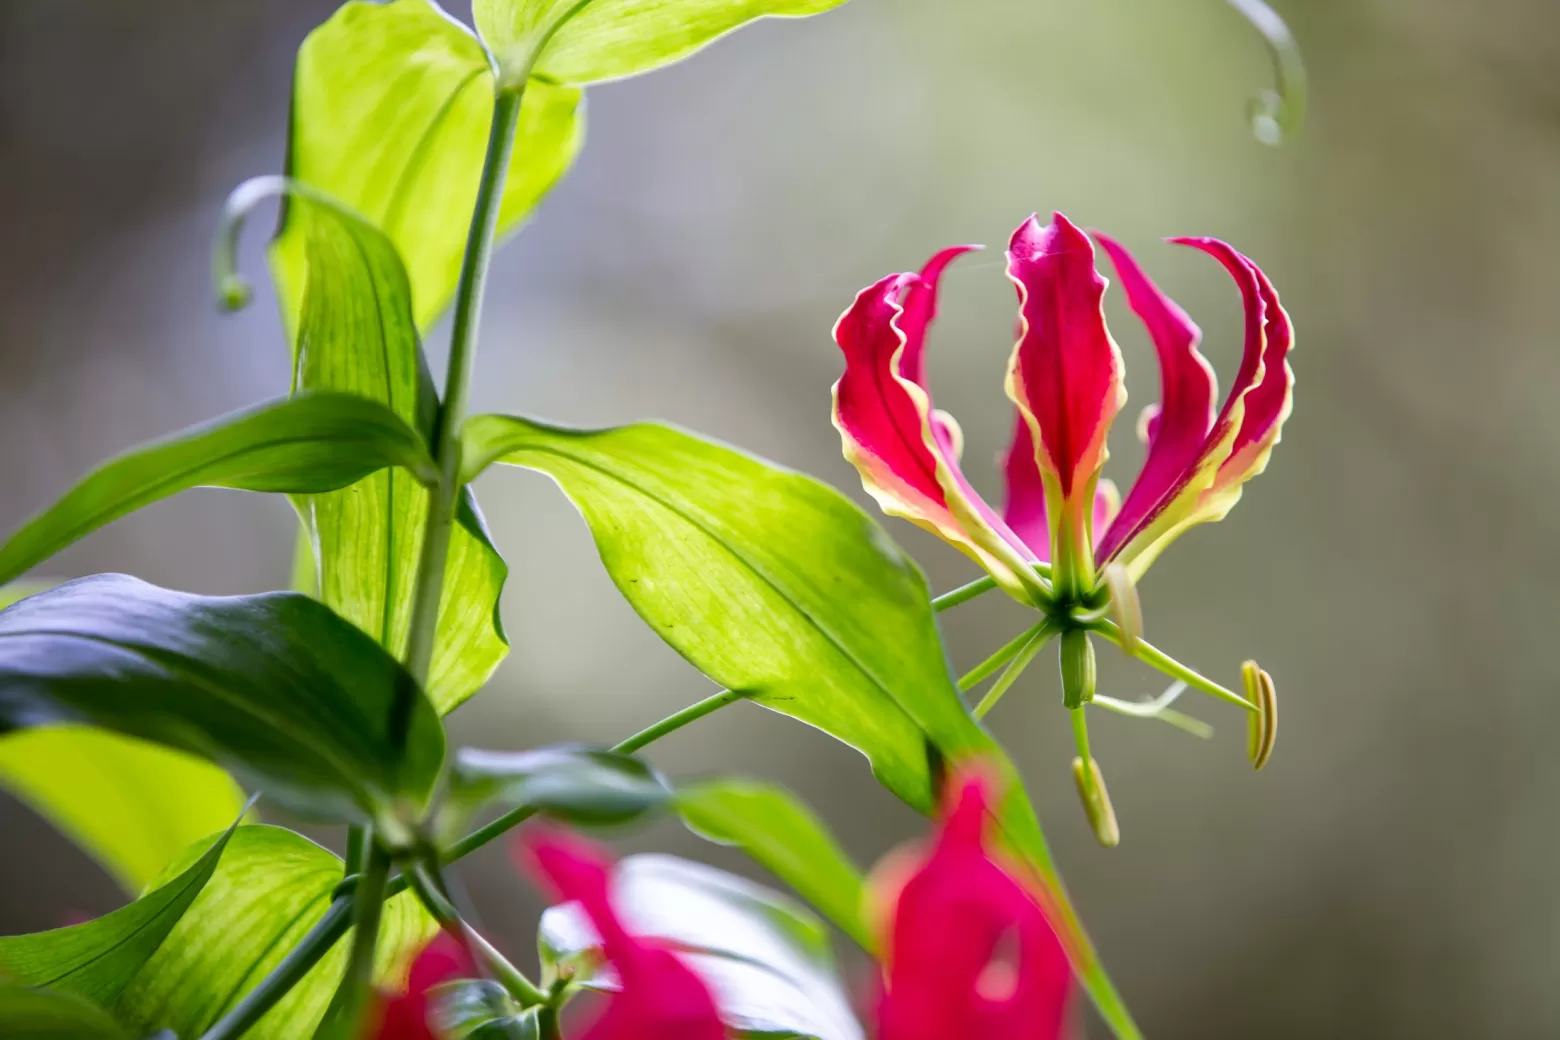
x: 1391, y: 874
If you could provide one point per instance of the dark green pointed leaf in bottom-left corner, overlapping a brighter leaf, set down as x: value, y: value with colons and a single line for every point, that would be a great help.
x: 97, y: 960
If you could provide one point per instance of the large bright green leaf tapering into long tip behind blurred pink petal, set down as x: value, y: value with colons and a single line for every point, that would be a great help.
x: 779, y: 587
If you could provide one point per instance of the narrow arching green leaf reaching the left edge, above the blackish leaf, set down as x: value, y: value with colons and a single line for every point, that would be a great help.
x: 316, y: 442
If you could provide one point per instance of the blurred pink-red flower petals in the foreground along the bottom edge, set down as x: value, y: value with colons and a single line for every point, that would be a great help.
x: 948, y: 967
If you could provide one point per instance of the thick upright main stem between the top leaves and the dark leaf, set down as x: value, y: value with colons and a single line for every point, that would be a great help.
x: 458, y: 383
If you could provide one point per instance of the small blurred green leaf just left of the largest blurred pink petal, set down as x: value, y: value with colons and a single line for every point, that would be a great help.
x: 787, y: 840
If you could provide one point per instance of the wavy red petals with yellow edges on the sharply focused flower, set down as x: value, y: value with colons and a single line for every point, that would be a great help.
x: 1066, y: 381
